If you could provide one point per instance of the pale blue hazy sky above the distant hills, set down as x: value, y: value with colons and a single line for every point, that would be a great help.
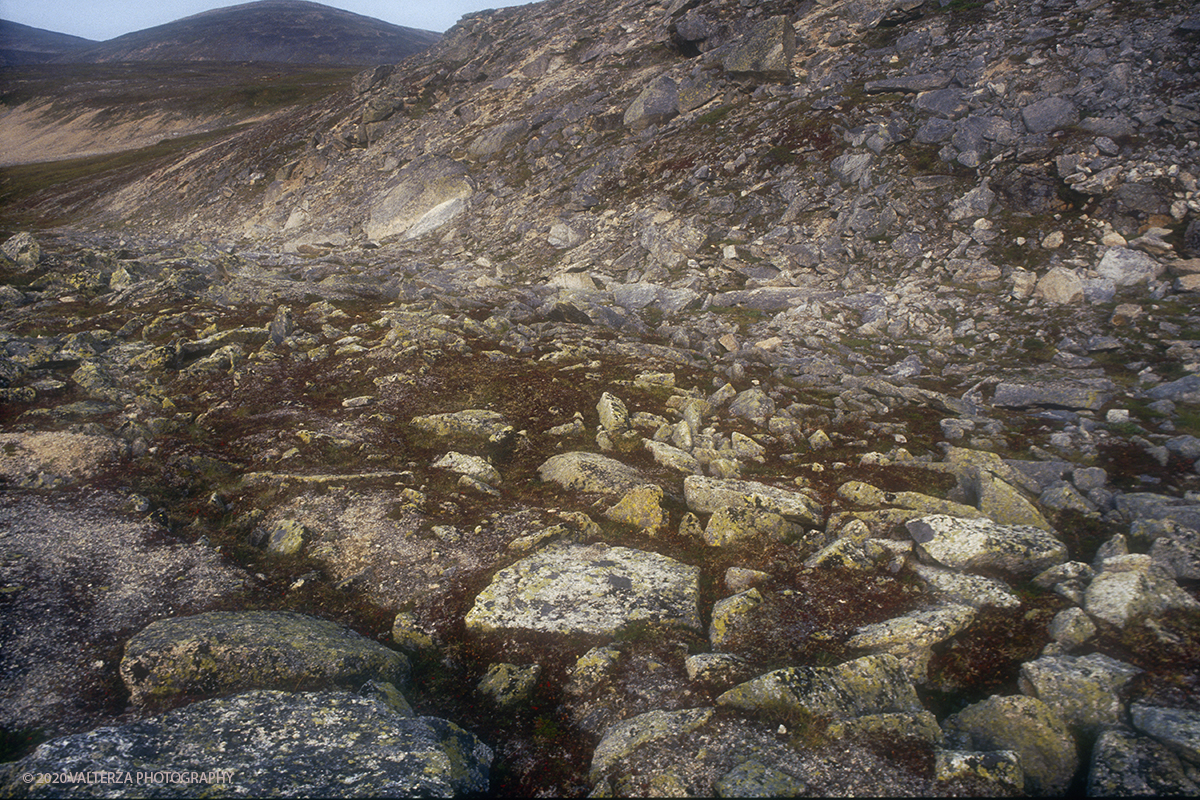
x: 110, y: 19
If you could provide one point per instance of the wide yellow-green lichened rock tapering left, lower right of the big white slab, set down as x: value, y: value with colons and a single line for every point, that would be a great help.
x: 869, y: 685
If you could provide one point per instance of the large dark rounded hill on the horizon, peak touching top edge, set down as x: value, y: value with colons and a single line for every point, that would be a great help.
x: 287, y: 32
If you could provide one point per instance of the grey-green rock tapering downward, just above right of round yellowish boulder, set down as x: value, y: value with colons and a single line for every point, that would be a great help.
x: 1085, y: 691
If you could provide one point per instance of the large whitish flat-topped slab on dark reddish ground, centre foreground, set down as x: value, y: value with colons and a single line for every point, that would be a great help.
x: 597, y: 591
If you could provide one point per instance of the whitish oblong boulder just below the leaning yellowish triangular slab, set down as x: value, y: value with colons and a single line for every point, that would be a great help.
x: 985, y: 545
